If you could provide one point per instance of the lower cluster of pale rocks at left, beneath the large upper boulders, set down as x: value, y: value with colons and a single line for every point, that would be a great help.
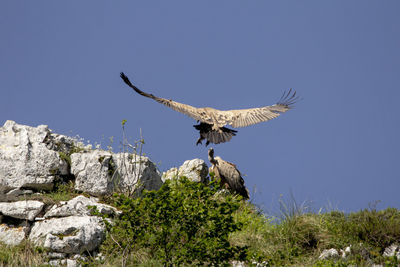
x: 65, y: 229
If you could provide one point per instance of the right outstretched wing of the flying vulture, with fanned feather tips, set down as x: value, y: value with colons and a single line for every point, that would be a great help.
x: 246, y: 117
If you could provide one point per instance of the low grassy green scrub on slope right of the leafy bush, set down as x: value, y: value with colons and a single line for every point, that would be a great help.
x: 300, y: 238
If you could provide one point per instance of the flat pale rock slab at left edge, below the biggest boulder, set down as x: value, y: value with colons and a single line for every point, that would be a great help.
x: 28, y: 209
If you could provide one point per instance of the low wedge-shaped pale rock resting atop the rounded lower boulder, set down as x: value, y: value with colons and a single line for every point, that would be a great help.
x: 78, y: 206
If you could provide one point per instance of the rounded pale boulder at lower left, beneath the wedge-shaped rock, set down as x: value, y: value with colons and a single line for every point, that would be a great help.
x: 71, y: 235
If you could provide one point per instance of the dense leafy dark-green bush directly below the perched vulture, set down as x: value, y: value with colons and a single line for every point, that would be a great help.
x: 182, y: 223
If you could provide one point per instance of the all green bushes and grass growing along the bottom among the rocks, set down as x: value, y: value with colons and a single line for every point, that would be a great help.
x: 191, y: 224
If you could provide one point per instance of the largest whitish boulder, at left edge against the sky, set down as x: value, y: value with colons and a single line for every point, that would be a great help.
x: 25, y: 160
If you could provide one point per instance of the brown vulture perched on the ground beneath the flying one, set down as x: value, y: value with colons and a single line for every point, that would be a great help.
x: 228, y: 174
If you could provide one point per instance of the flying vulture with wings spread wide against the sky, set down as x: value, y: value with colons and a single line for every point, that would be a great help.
x: 212, y: 121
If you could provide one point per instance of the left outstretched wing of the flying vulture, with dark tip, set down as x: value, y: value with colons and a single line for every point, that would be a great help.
x: 182, y: 108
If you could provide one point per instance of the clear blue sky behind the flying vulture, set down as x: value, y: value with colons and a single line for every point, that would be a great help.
x: 60, y: 65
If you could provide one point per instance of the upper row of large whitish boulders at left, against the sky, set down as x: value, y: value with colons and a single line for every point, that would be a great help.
x: 35, y: 158
